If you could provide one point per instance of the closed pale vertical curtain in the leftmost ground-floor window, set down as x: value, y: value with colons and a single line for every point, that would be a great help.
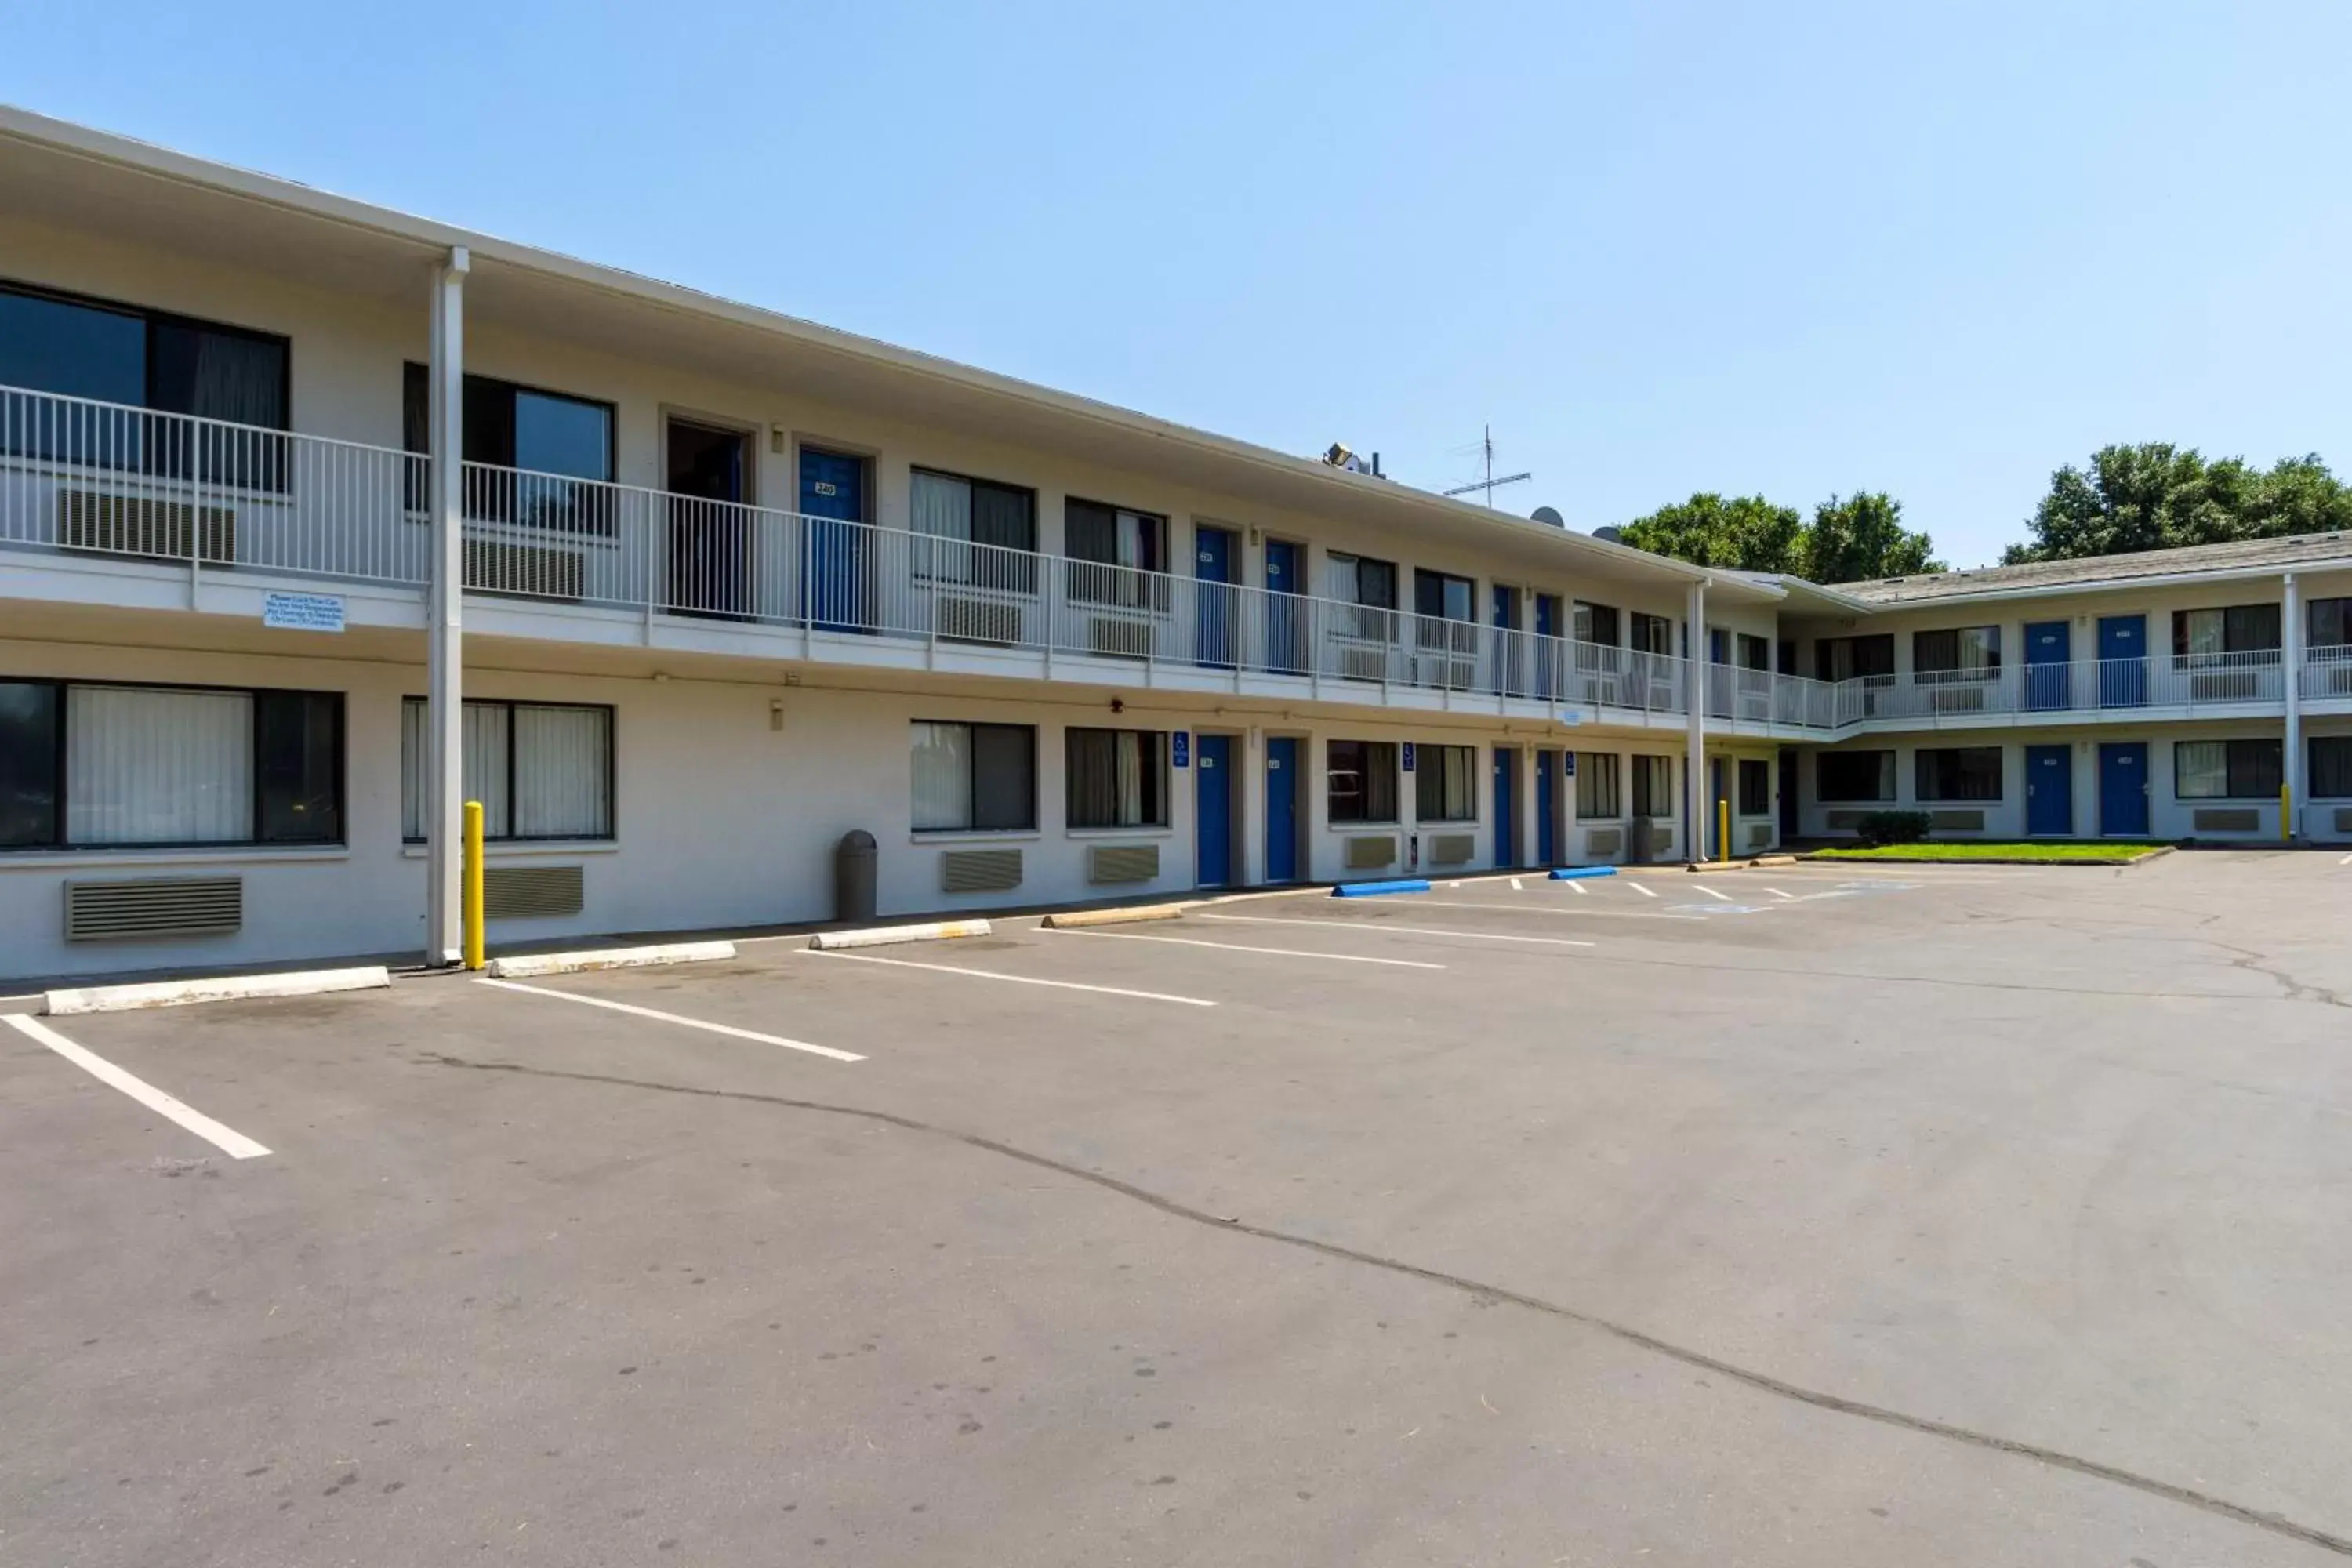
x: 159, y: 768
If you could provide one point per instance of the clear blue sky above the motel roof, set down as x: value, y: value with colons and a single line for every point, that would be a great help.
x: 1662, y: 248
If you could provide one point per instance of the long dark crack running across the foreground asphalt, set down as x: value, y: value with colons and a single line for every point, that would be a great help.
x: 1485, y: 1294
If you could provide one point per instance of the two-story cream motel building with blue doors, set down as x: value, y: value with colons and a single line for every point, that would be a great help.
x: 737, y: 587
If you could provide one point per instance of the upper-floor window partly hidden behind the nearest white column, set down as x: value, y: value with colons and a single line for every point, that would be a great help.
x: 530, y: 443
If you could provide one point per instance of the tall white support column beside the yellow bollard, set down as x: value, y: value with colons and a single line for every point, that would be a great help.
x: 446, y: 662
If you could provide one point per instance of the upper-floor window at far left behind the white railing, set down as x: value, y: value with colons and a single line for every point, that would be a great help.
x: 147, y: 361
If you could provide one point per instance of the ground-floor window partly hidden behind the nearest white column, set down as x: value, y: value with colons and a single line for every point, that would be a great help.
x: 540, y: 770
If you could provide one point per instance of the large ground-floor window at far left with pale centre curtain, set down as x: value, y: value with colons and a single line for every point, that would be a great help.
x: 149, y: 768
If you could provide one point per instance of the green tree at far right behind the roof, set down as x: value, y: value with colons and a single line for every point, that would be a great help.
x: 2156, y: 497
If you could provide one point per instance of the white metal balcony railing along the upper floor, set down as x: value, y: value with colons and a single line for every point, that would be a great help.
x: 91, y: 478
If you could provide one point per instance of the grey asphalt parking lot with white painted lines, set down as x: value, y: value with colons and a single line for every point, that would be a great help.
x: 1786, y: 1217
